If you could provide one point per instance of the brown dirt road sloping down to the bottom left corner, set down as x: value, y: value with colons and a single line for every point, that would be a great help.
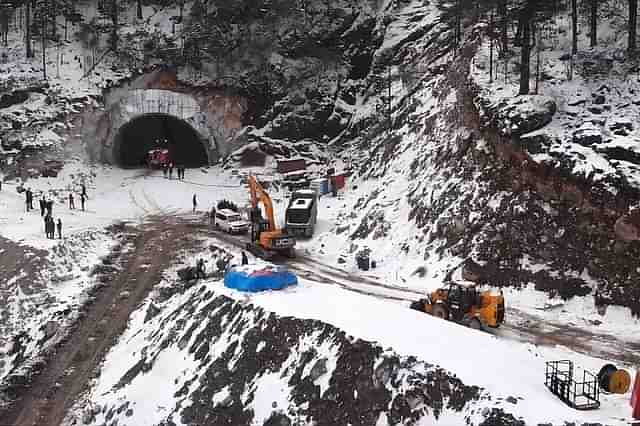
x: 45, y: 401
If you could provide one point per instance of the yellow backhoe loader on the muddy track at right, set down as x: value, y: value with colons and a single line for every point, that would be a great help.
x: 464, y: 303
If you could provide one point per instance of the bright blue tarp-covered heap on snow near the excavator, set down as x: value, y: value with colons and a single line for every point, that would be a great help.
x: 259, y: 278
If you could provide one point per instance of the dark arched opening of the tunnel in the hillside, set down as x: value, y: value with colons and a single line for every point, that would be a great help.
x: 159, y: 131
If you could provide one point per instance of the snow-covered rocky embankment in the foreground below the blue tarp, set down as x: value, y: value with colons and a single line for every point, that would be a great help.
x: 272, y: 360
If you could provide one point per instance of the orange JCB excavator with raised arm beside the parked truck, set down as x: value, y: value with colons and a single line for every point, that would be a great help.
x: 267, y: 240
